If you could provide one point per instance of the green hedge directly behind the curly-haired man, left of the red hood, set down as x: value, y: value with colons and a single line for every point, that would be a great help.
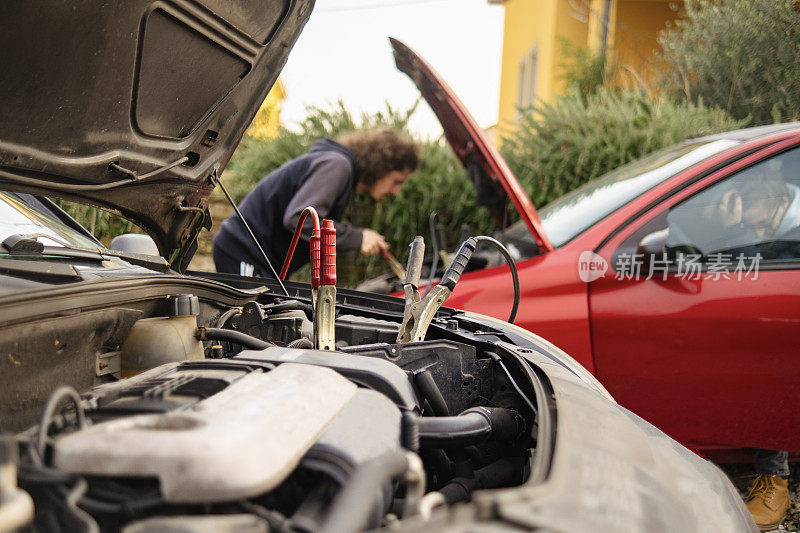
x: 440, y: 184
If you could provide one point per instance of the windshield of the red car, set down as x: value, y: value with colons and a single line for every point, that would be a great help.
x: 575, y: 212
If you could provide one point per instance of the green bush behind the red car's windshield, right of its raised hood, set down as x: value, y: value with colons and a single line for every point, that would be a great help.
x: 558, y: 147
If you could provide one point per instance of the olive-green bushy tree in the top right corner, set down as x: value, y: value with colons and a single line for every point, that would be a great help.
x: 740, y: 55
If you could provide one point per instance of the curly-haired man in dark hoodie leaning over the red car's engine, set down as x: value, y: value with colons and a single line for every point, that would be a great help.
x: 376, y: 162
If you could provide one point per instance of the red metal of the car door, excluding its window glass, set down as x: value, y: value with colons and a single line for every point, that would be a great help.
x: 702, y: 347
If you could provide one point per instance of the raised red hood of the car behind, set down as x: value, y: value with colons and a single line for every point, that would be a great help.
x: 494, y: 181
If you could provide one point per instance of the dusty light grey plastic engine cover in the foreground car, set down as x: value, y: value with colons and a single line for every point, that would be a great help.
x: 237, y: 443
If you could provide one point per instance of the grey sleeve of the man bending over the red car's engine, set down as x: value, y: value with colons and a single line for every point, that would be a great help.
x: 328, y: 182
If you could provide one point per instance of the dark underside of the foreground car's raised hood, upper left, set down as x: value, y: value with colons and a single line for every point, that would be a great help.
x: 137, y: 105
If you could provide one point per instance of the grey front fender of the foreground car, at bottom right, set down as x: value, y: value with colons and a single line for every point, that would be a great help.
x: 652, y: 478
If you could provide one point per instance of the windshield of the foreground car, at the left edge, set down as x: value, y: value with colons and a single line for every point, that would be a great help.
x: 23, y: 214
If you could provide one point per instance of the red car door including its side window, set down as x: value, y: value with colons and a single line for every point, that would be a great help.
x: 707, y: 347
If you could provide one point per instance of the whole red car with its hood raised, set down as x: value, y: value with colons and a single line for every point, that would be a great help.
x: 710, y: 357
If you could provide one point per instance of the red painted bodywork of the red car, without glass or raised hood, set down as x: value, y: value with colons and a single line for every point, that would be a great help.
x: 630, y: 342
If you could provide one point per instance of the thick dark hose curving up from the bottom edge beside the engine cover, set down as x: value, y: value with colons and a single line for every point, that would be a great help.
x: 351, y: 508
